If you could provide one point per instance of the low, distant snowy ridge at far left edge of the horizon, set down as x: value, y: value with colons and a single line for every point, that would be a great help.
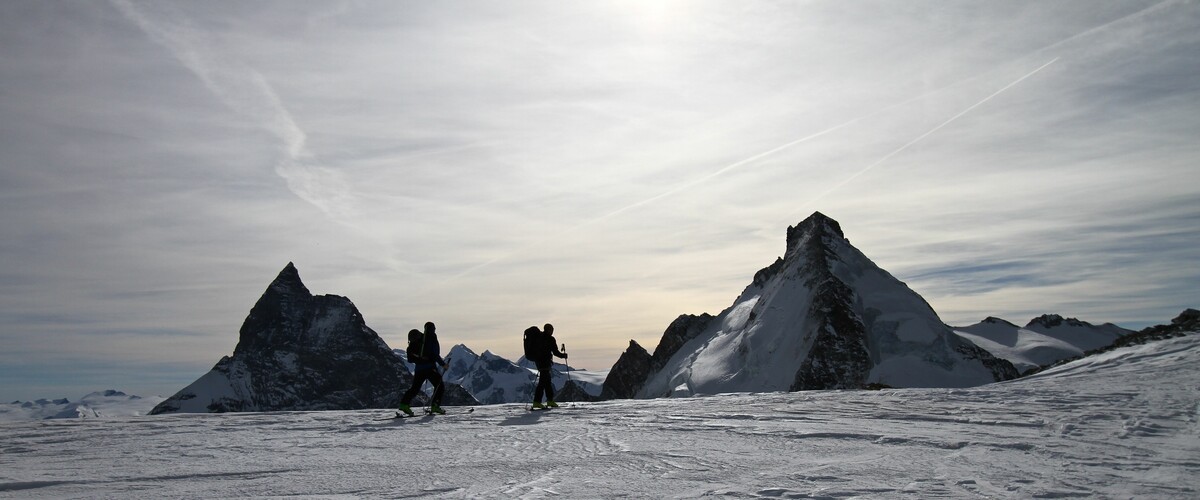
x: 101, y: 405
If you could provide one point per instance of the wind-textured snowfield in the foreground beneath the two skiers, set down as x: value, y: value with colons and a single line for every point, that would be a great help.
x: 1114, y: 426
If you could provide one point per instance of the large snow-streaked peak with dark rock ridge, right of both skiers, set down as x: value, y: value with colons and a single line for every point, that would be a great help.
x: 821, y: 317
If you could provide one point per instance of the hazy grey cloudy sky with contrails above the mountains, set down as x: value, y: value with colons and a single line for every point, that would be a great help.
x: 604, y: 167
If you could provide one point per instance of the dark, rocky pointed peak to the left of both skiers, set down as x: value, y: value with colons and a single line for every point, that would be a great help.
x: 298, y: 352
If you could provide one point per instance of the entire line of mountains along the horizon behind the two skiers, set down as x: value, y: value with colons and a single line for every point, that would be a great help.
x: 821, y: 317
